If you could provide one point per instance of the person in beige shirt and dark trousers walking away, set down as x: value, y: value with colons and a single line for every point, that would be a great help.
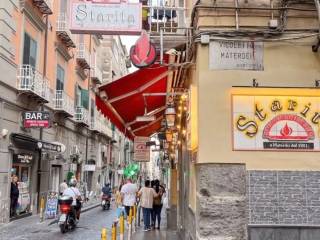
x: 147, y: 194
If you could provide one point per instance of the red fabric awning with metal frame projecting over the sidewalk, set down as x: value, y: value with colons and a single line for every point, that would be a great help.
x: 134, y: 95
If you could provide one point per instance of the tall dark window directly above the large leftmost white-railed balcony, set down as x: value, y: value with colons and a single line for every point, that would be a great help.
x: 29, y: 51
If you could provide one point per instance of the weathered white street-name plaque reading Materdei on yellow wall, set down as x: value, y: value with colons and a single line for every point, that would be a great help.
x: 236, y: 55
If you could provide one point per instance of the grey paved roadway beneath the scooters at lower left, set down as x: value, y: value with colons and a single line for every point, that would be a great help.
x: 89, y: 227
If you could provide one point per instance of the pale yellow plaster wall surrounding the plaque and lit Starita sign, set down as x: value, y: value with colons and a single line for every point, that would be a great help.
x: 285, y: 65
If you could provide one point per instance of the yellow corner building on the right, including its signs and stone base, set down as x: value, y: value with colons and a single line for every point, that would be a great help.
x: 249, y: 161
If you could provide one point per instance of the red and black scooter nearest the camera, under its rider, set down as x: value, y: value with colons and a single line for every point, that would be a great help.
x: 67, y: 220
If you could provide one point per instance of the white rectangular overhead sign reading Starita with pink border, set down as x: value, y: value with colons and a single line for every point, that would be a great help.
x: 105, y: 18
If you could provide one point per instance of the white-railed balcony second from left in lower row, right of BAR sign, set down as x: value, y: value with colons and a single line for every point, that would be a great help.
x: 63, y: 104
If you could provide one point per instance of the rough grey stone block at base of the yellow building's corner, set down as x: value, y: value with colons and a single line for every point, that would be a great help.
x: 221, y: 202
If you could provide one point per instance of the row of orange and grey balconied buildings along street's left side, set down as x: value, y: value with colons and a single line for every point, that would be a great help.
x: 50, y: 70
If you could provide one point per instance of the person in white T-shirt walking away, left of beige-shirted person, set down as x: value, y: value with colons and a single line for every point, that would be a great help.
x: 128, y: 193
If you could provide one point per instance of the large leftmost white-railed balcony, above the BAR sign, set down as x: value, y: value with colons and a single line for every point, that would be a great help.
x: 32, y: 83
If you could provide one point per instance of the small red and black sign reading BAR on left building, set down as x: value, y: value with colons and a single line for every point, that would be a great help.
x: 36, y: 119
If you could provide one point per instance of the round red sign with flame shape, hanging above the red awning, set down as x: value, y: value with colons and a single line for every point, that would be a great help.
x: 143, y: 53
